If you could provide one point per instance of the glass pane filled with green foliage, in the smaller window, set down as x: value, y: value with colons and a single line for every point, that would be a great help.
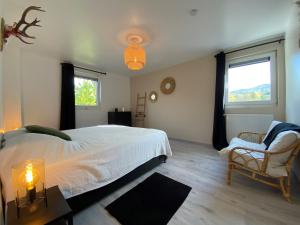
x: 85, y: 92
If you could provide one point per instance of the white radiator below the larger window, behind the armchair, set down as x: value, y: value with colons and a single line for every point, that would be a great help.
x: 236, y: 123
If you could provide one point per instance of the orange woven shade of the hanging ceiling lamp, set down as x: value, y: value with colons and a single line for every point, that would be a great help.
x: 135, y: 57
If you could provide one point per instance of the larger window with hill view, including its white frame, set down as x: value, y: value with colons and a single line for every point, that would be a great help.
x: 251, y: 80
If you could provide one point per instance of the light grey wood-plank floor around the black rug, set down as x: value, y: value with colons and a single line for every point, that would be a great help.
x: 211, y: 201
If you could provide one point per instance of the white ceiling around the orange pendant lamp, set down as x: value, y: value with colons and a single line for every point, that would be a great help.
x: 93, y: 32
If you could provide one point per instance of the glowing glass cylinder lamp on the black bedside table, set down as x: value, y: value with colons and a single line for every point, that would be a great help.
x: 29, y: 182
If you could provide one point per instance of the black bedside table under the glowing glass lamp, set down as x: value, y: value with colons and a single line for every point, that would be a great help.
x: 57, y: 212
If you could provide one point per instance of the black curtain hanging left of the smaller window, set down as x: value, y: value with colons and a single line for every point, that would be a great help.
x: 67, y: 114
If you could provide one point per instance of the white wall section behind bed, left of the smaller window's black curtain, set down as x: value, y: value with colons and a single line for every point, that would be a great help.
x: 40, y: 89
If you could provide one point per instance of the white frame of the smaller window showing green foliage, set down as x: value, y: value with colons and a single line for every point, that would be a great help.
x: 88, y: 76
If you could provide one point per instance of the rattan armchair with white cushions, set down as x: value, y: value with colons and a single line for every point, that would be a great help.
x: 247, y: 156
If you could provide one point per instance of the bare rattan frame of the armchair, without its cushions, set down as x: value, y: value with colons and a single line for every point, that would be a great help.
x: 282, y: 183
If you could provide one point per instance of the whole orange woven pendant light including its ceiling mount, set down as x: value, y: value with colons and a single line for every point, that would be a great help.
x: 134, y: 54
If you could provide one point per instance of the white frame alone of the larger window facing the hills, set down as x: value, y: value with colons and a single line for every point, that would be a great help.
x: 273, y: 63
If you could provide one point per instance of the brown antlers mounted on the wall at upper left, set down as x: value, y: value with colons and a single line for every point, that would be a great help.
x: 19, y: 32
